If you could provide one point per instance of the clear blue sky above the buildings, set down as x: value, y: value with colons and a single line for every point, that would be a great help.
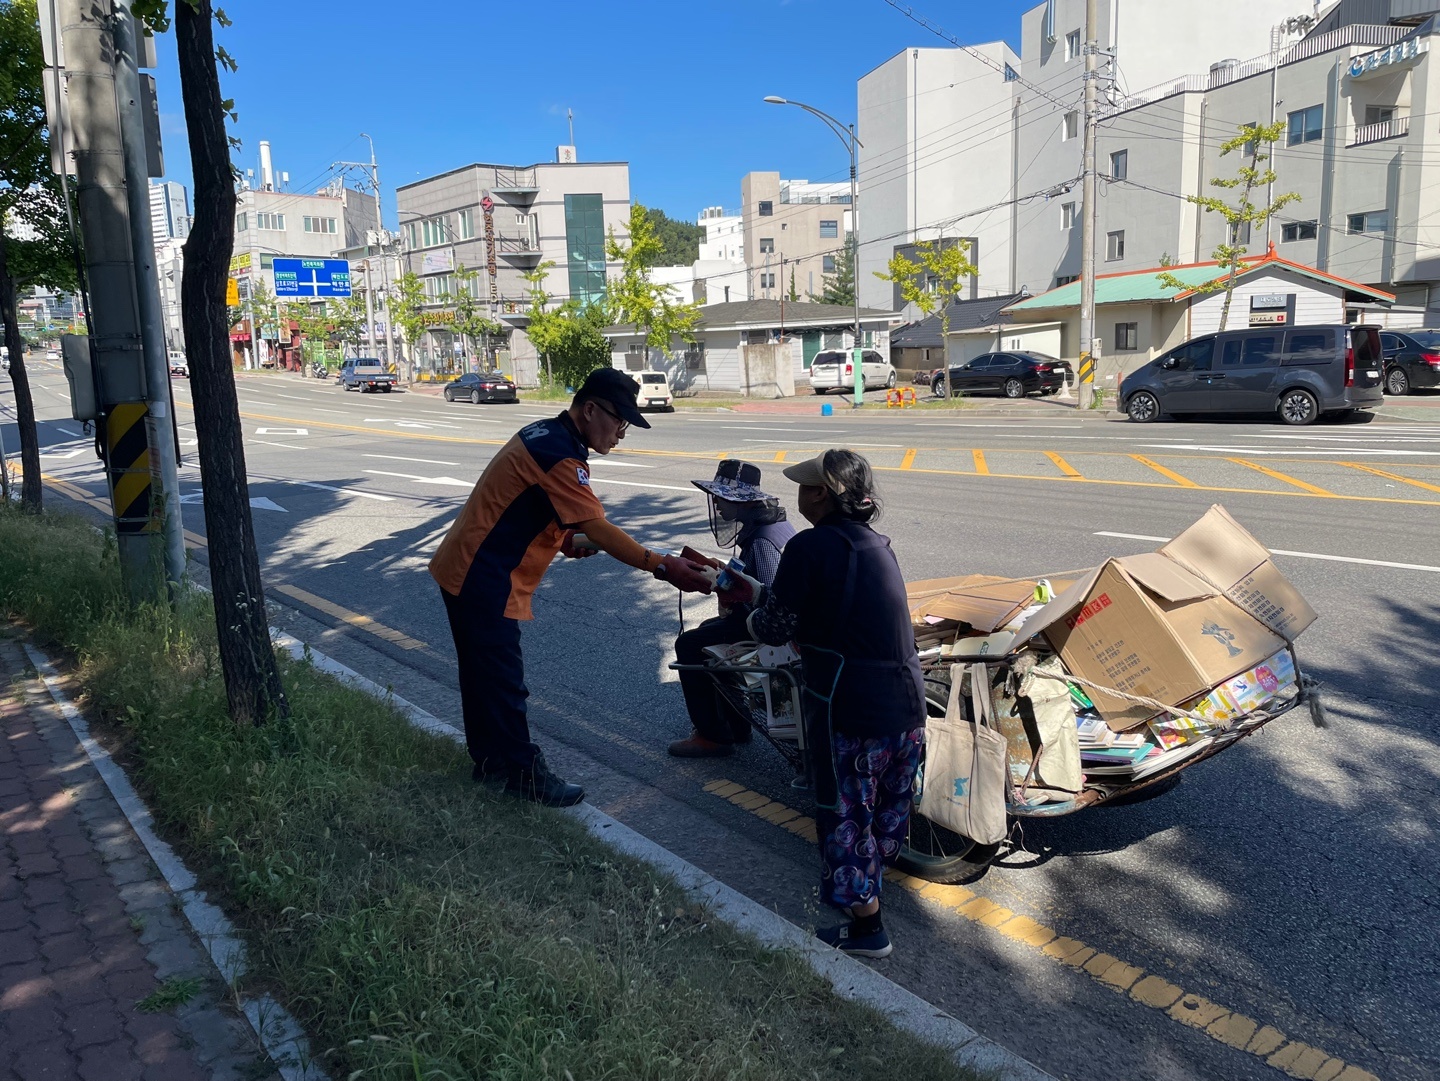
x: 672, y: 87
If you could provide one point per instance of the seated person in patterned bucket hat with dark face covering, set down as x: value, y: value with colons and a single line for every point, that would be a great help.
x: 752, y: 522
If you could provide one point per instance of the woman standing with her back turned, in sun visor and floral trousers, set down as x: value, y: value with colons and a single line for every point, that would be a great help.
x: 840, y: 597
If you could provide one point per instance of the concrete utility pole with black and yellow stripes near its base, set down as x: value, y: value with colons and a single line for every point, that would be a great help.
x: 133, y: 458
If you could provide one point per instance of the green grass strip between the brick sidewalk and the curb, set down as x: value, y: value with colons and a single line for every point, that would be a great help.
x: 421, y: 926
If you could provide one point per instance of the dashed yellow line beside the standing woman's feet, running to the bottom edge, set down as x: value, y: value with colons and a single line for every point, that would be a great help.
x: 1220, y: 1024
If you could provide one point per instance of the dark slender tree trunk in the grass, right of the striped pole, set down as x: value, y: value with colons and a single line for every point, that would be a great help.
x: 247, y: 659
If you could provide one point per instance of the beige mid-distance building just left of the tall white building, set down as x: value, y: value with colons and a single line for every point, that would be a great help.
x: 793, y: 234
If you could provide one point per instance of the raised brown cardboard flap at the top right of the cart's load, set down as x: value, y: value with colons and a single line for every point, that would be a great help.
x: 1223, y: 553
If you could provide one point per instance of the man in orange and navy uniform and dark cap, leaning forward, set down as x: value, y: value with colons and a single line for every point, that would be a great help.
x: 528, y: 506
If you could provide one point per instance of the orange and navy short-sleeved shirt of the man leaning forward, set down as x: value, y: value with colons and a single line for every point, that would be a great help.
x: 510, y: 530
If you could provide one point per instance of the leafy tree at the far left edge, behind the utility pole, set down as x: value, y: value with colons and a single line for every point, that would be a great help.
x: 35, y: 240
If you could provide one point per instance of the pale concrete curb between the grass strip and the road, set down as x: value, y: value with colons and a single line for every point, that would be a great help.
x: 850, y: 978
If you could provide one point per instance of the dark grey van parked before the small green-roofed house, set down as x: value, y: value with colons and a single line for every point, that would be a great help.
x: 1297, y: 374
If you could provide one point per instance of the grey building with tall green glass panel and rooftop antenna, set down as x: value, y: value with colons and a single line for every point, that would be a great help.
x: 506, y: 221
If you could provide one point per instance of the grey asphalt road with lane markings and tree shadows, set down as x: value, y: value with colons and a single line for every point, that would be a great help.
x: 1290, y: 883
